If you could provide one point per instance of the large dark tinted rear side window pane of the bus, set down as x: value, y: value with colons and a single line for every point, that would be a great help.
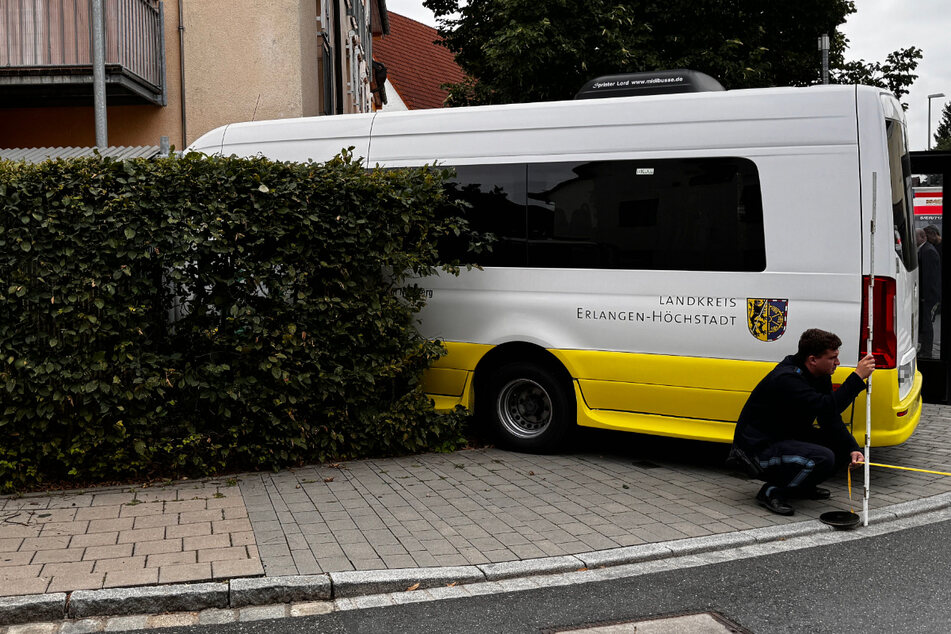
x: 700, y: 214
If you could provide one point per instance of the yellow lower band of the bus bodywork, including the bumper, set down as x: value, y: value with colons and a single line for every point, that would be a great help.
x: 681, y: 397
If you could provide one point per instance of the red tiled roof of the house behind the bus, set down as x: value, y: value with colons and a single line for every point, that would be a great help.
x: 415, y: 65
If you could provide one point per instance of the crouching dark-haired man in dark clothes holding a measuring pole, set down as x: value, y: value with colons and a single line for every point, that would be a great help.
x: 775, y: 438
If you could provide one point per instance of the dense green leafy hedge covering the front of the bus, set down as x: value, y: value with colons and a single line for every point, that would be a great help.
x: 186, y: 316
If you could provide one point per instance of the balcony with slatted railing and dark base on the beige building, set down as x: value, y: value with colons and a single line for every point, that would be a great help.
x: 45, y: 49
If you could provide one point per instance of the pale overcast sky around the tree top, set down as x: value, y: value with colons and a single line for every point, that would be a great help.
x: 878, y: 28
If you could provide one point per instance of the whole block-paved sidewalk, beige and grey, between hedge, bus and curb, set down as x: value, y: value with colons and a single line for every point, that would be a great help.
x: 385, y: 517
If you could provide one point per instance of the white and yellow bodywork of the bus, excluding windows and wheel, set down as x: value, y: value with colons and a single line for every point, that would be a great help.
x: 669, y: 352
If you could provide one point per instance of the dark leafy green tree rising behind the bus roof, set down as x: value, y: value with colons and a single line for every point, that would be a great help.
x: 526, y: 50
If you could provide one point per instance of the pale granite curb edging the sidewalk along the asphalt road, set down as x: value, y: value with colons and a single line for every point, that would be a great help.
x: 257, y: 591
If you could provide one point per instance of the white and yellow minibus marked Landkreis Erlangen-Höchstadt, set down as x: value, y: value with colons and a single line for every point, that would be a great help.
x: 656, y: 254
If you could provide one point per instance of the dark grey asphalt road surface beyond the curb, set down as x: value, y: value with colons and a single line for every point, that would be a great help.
x: 895, y: 582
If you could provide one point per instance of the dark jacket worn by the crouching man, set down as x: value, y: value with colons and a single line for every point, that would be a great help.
x: 787, y: 401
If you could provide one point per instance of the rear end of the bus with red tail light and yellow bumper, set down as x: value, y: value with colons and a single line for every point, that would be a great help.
x: 890, y: 266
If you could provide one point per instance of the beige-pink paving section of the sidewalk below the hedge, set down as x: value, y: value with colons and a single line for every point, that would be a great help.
x: 107, y: 538
